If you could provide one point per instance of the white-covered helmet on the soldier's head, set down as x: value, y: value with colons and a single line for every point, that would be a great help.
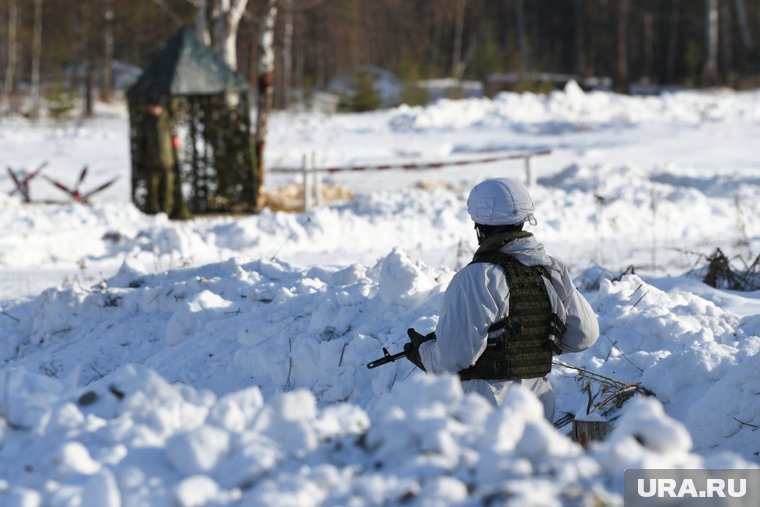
x: 500, y: 201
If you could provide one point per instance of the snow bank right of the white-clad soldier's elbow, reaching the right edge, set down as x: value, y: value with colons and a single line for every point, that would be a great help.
x: 695, y: 356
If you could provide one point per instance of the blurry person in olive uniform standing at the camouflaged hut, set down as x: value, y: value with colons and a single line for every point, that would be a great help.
x: 158, y: 158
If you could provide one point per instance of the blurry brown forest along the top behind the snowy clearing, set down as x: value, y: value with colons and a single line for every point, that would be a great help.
x: 58, y: 53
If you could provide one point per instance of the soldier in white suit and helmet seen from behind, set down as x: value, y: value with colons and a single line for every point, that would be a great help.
x: 510, y: 310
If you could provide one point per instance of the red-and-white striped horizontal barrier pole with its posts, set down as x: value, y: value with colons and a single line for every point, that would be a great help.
x: 312, y: 183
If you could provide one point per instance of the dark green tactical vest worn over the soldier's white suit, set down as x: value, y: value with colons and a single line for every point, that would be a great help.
x: 521, y: 345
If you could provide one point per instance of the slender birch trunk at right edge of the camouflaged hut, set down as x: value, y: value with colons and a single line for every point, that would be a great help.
x: 265, y: 78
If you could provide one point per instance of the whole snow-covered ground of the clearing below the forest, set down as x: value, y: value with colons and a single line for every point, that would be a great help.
x: 221, y: 361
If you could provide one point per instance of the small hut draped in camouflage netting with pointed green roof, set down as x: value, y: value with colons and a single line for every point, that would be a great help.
x: 207, y: 103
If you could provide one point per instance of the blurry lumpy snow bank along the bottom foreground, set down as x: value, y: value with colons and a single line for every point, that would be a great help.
x: 131, y: 438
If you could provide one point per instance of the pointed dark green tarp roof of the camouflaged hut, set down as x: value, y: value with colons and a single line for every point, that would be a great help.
x: 186, y: 66
